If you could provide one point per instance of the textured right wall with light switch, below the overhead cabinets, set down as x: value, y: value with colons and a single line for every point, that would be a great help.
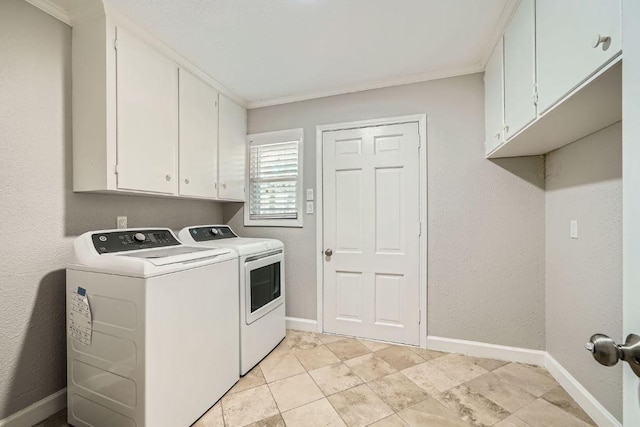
x: 584, y: 276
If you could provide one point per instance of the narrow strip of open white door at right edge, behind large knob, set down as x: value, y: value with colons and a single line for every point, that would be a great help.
x: 630, y: 196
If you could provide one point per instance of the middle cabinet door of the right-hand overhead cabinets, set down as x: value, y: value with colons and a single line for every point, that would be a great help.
x: 520, y: 69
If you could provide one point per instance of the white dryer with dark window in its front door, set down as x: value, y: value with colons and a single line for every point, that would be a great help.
x: 262, y: 308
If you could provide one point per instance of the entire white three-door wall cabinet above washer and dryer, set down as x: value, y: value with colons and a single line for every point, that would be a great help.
x: 143, y: 124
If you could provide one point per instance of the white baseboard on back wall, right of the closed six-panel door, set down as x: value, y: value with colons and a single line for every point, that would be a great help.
x: 489, y: 351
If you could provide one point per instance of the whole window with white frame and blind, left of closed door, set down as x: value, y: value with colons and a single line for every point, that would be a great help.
x: 274, y: 179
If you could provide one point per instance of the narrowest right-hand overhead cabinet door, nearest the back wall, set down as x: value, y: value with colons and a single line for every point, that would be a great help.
x: 494, y: 99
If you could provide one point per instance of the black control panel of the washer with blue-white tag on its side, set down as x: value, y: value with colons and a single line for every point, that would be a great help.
x: 120, y: 241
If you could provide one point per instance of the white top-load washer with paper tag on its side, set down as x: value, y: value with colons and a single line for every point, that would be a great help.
x: 163, y: 345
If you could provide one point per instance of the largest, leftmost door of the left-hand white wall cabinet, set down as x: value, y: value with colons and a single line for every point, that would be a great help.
x: 147, y: 106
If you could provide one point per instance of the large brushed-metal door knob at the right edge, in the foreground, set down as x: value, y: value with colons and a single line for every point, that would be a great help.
x: 607, y: 352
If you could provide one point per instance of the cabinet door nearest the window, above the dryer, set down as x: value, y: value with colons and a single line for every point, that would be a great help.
x: 232, y: 150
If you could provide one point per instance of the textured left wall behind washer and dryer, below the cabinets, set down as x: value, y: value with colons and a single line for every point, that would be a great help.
x: 39, y: 215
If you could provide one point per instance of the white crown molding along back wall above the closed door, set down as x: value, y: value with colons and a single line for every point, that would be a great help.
x: 380, y: 84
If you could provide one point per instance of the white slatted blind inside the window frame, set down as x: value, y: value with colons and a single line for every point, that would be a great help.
x: 273, y: 180
